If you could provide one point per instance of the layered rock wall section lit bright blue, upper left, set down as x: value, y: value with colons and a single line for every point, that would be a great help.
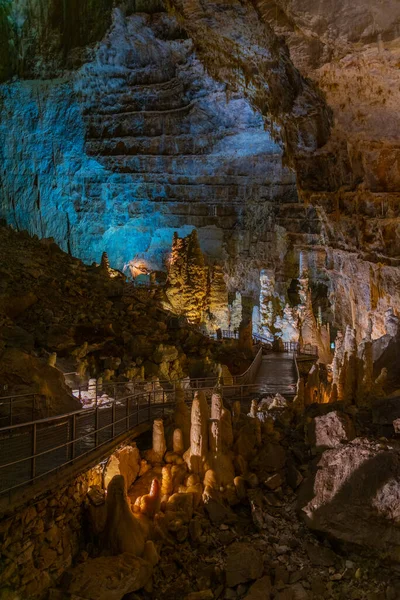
x: 136, y: 144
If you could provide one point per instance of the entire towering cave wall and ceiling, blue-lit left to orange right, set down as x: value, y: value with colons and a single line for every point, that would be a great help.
x: 146, y: 122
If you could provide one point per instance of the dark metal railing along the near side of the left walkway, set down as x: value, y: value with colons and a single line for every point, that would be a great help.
x: 36, y: 449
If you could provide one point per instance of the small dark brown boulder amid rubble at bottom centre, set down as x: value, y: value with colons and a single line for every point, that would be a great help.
x: 243, y: 563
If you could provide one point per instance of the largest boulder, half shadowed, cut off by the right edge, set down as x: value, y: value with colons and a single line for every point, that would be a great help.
x: 353, y: 495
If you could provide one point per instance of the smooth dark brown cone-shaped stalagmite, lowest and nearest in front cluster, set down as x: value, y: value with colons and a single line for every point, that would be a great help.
x: 123, y: 533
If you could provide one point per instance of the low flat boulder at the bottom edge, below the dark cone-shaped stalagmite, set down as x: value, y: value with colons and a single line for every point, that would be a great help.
x: 108, y: 577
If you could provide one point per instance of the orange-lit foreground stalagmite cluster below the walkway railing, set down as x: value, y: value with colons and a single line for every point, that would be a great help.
x: 200, y: 462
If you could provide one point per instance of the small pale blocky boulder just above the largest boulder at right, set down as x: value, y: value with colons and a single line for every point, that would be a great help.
x: 330, y: 430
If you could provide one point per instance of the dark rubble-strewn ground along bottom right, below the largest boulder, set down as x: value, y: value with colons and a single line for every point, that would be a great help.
x: 280, y: 560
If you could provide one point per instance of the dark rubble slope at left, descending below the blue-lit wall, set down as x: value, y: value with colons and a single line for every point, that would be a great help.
x: 92, y: 321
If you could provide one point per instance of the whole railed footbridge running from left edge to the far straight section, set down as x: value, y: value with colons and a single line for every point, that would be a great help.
x: 34, y: 450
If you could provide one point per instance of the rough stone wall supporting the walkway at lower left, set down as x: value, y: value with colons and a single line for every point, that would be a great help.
x: 40, y: 540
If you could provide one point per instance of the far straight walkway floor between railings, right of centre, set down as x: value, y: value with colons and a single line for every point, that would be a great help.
x: 277, y: 373
